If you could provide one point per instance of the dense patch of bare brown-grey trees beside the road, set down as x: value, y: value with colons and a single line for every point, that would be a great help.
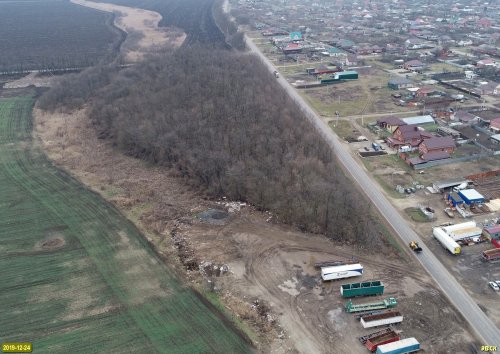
x: 221, y: 122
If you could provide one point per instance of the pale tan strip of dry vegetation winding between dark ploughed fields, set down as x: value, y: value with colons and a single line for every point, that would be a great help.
x: 143, y: 33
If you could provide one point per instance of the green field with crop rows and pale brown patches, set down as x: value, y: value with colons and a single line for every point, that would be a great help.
x: 76, y: 276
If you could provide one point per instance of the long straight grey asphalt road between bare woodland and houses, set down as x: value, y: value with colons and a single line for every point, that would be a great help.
x: 478, y: 321
